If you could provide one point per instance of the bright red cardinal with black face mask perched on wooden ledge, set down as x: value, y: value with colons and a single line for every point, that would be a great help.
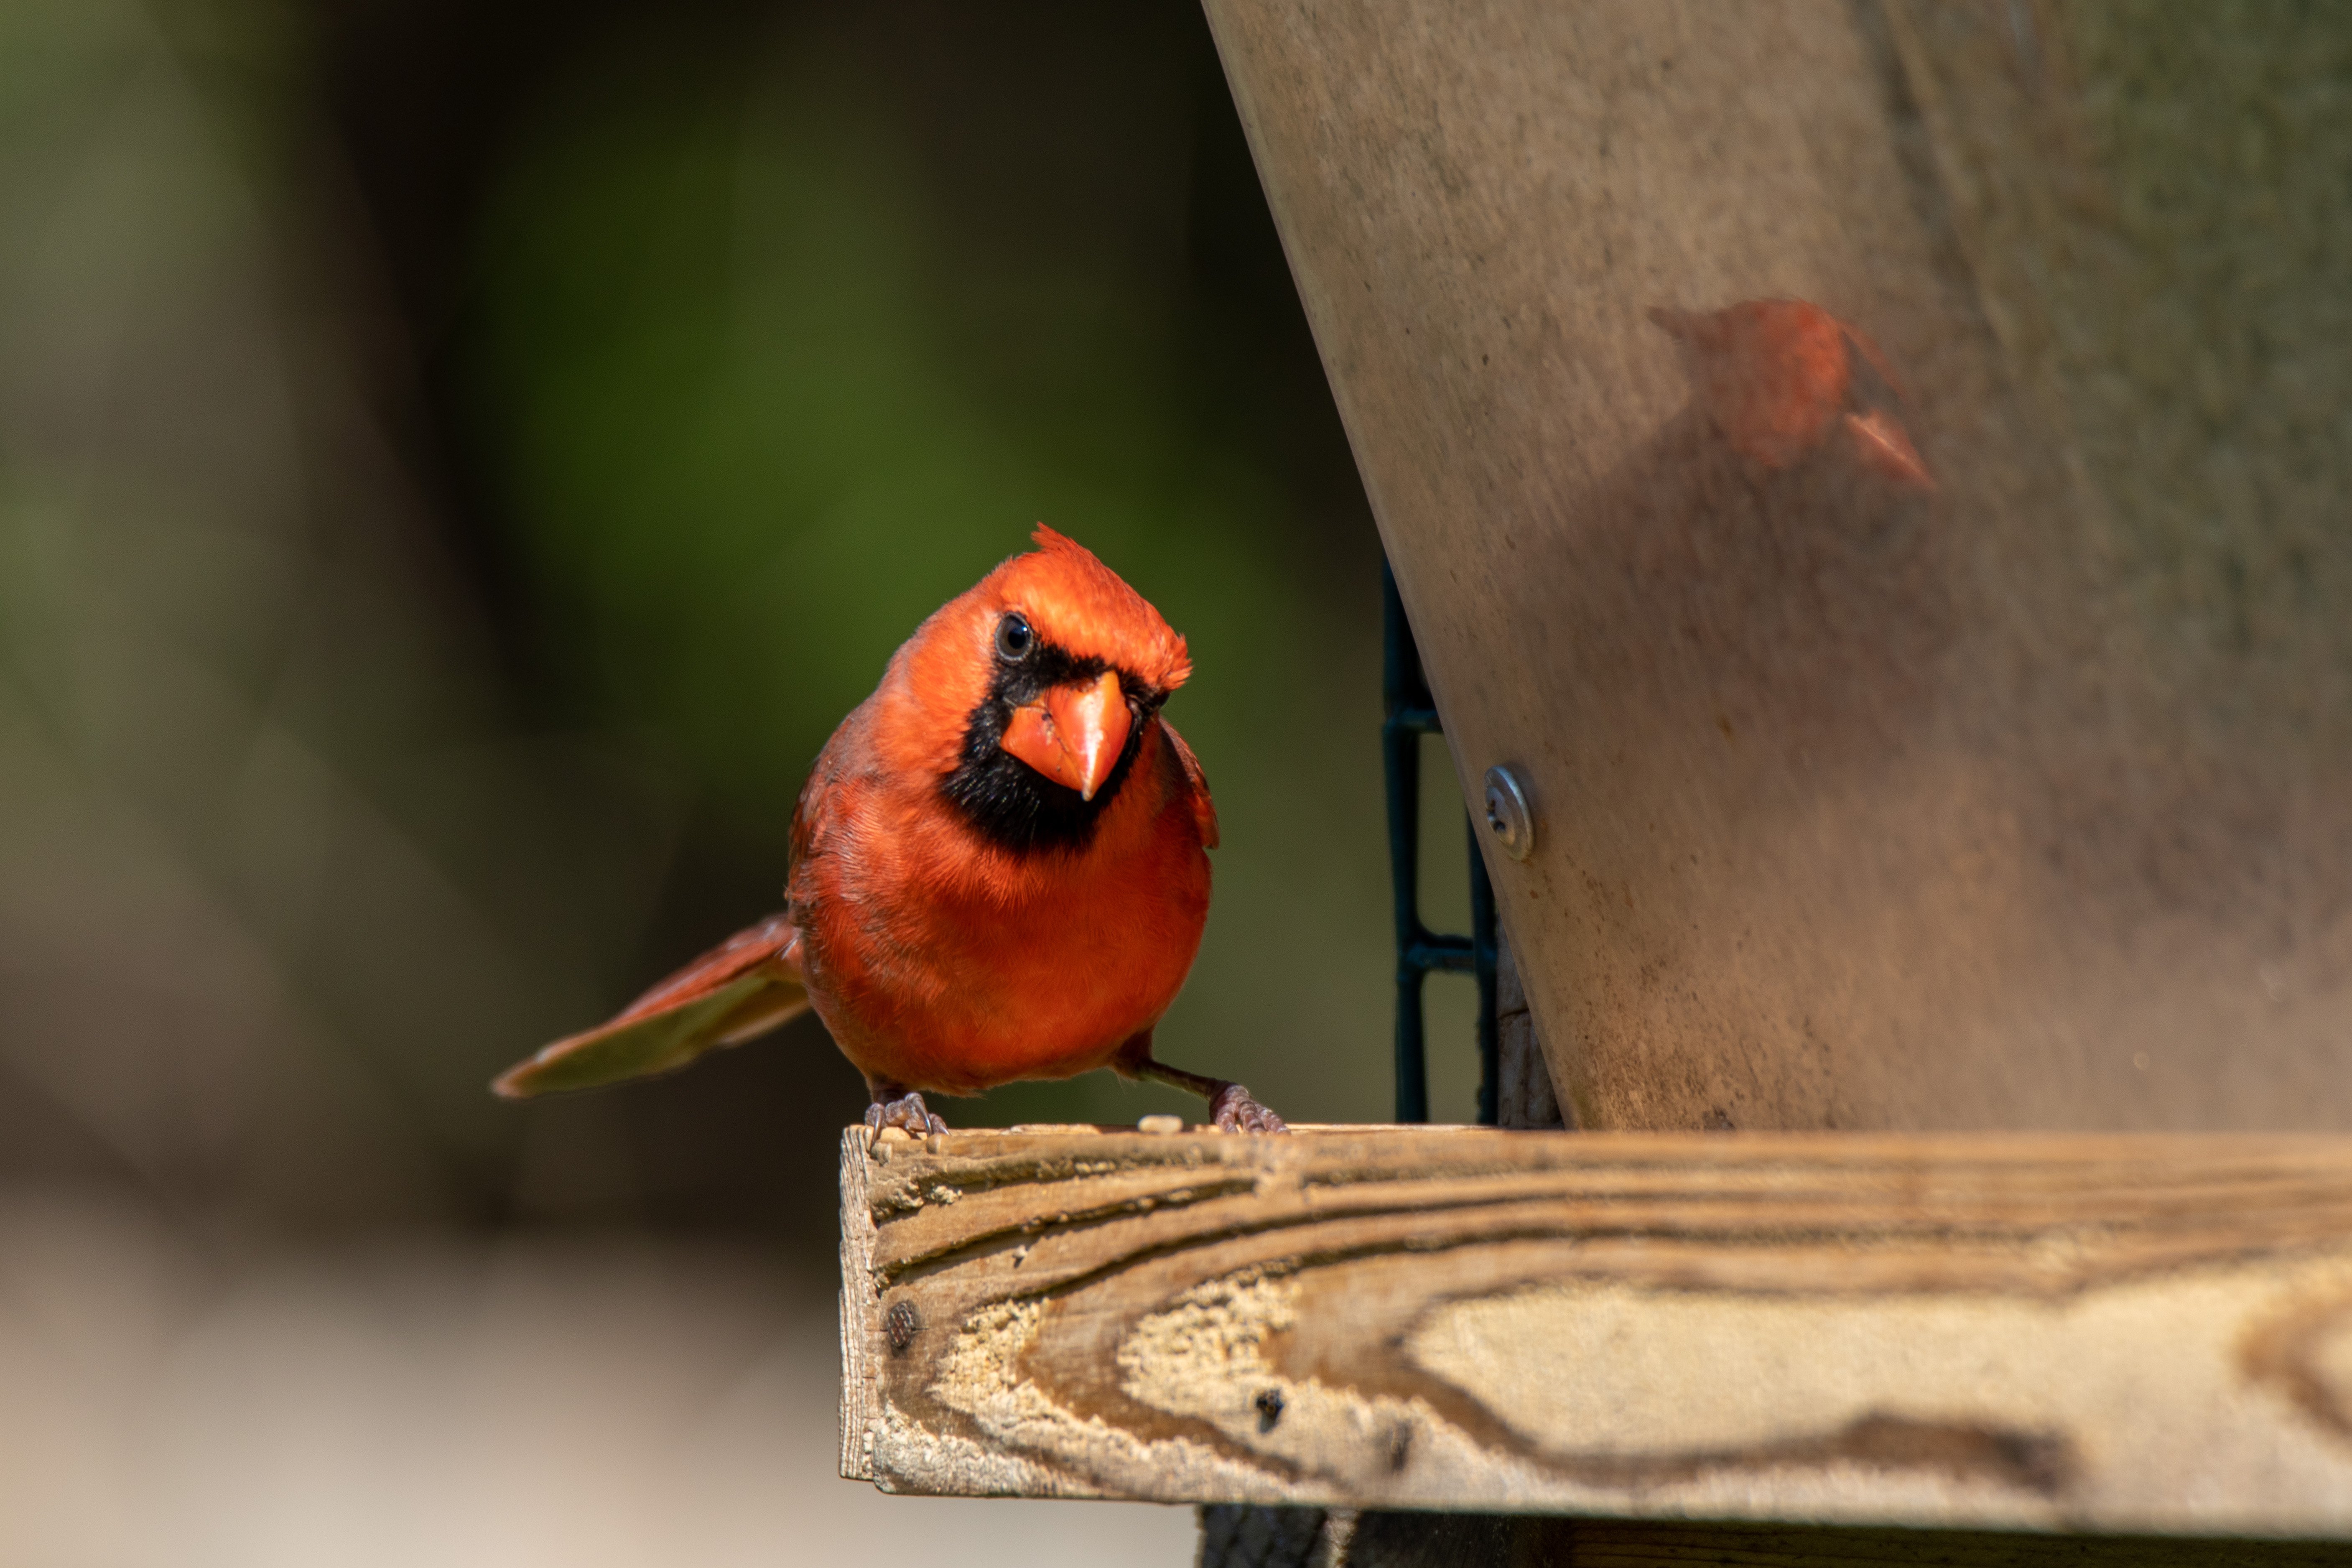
x: 998, y: 866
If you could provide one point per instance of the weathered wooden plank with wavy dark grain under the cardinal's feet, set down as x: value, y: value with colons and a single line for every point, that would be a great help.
x: 2022, y: 1332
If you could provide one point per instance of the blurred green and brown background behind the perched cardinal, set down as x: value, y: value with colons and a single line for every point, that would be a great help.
x: 457, y: 464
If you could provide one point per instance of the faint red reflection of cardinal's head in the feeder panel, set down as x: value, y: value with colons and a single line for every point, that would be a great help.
x: 1782, y: 375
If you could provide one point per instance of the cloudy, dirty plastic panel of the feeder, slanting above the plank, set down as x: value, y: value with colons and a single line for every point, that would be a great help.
x: 2014, y: 803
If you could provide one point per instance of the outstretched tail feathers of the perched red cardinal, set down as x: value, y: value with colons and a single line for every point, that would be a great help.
x: 742, y: 989
